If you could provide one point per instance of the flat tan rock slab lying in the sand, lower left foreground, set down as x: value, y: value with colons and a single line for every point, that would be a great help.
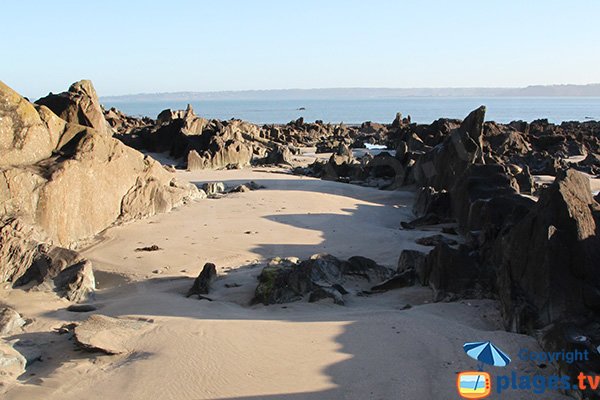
x: 108, y: 335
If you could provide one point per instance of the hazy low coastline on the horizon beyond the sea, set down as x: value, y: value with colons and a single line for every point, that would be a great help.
x: 590, y: 90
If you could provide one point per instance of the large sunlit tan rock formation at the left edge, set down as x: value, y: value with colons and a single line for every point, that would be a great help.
x: 83, y: 181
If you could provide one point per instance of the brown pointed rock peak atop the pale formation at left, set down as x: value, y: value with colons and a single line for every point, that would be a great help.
x: 79, y: 105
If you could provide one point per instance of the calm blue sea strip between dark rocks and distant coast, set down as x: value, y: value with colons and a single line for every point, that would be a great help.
x: 421, y: 109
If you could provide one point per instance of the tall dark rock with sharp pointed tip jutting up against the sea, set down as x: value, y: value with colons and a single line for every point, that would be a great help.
x: 444, y: 164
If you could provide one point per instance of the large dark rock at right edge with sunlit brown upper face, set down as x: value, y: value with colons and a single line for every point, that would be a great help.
x: 547, y: 263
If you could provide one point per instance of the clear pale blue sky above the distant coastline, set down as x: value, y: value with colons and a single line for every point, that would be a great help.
x: 151, y: 46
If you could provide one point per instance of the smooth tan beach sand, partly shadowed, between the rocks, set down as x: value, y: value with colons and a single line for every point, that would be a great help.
x: 372, y: 348
